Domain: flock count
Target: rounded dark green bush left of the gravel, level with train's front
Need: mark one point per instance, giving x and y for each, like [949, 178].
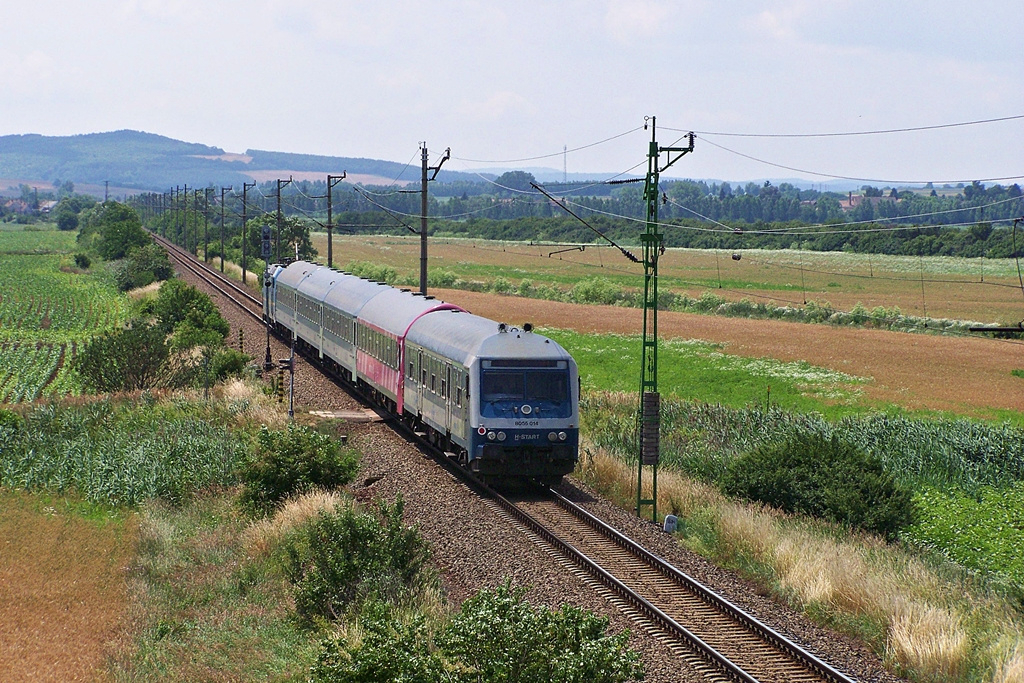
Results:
[293, 461]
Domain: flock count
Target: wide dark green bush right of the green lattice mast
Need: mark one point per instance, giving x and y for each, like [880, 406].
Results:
[824, 478]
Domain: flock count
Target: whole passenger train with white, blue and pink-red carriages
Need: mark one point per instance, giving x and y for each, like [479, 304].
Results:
[501, 400]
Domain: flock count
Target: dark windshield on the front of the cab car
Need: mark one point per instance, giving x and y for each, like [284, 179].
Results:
[505, 392]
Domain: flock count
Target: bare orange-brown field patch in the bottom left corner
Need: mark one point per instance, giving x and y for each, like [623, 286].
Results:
[62, 590]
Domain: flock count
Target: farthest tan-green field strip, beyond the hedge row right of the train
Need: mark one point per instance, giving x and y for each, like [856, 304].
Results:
[977, 290]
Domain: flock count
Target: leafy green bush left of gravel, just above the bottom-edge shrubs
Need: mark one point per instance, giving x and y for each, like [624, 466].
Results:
[345, 557]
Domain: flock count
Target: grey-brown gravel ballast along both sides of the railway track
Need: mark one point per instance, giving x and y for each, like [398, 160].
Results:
[475, 546]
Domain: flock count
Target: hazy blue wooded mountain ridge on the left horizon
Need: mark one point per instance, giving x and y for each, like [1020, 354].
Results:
[151, 162]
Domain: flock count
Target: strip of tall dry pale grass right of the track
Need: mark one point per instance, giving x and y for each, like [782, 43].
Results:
[937, 625]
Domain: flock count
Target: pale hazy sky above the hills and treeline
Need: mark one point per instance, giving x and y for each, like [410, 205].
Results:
[568, 84]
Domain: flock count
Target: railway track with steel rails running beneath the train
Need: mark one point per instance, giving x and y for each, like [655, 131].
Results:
[714, 636]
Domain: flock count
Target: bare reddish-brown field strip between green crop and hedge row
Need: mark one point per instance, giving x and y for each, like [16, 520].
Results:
[924, 372]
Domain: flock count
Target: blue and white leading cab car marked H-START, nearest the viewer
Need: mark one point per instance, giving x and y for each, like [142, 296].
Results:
[510, 397]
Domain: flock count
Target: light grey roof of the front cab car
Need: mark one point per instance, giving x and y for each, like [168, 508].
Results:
[463, 337]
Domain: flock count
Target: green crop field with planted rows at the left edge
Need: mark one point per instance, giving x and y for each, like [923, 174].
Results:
[48, 310]
